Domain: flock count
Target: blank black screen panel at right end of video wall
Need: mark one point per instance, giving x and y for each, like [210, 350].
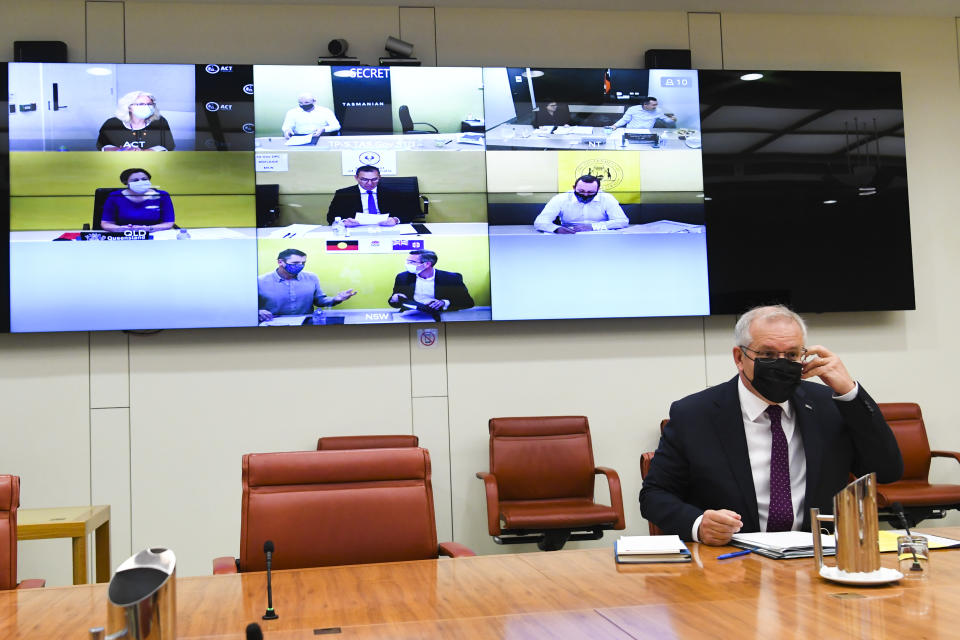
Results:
[806, 191]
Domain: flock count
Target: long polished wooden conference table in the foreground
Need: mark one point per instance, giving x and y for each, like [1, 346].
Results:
[564, 594]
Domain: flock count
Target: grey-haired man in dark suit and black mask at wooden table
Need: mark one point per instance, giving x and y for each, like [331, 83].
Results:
[755, 453]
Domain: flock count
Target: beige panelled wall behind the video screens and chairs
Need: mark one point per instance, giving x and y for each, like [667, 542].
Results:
[155, 425]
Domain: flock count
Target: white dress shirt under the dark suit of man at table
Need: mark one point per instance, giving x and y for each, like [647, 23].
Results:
[756, 425]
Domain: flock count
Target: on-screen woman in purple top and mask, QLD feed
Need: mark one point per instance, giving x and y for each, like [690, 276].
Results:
[139, 206]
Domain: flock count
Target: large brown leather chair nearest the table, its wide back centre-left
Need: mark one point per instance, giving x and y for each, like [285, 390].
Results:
[324, 508]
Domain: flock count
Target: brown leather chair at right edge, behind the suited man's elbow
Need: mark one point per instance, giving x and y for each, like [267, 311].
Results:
[920, 499]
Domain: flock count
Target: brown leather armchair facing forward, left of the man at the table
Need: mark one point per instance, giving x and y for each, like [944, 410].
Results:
[540, 484]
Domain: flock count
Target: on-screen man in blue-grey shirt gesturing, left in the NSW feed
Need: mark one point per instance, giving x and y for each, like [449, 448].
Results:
[288, 290]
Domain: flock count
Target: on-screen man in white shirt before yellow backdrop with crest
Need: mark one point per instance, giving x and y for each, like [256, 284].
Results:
[585, 208]
